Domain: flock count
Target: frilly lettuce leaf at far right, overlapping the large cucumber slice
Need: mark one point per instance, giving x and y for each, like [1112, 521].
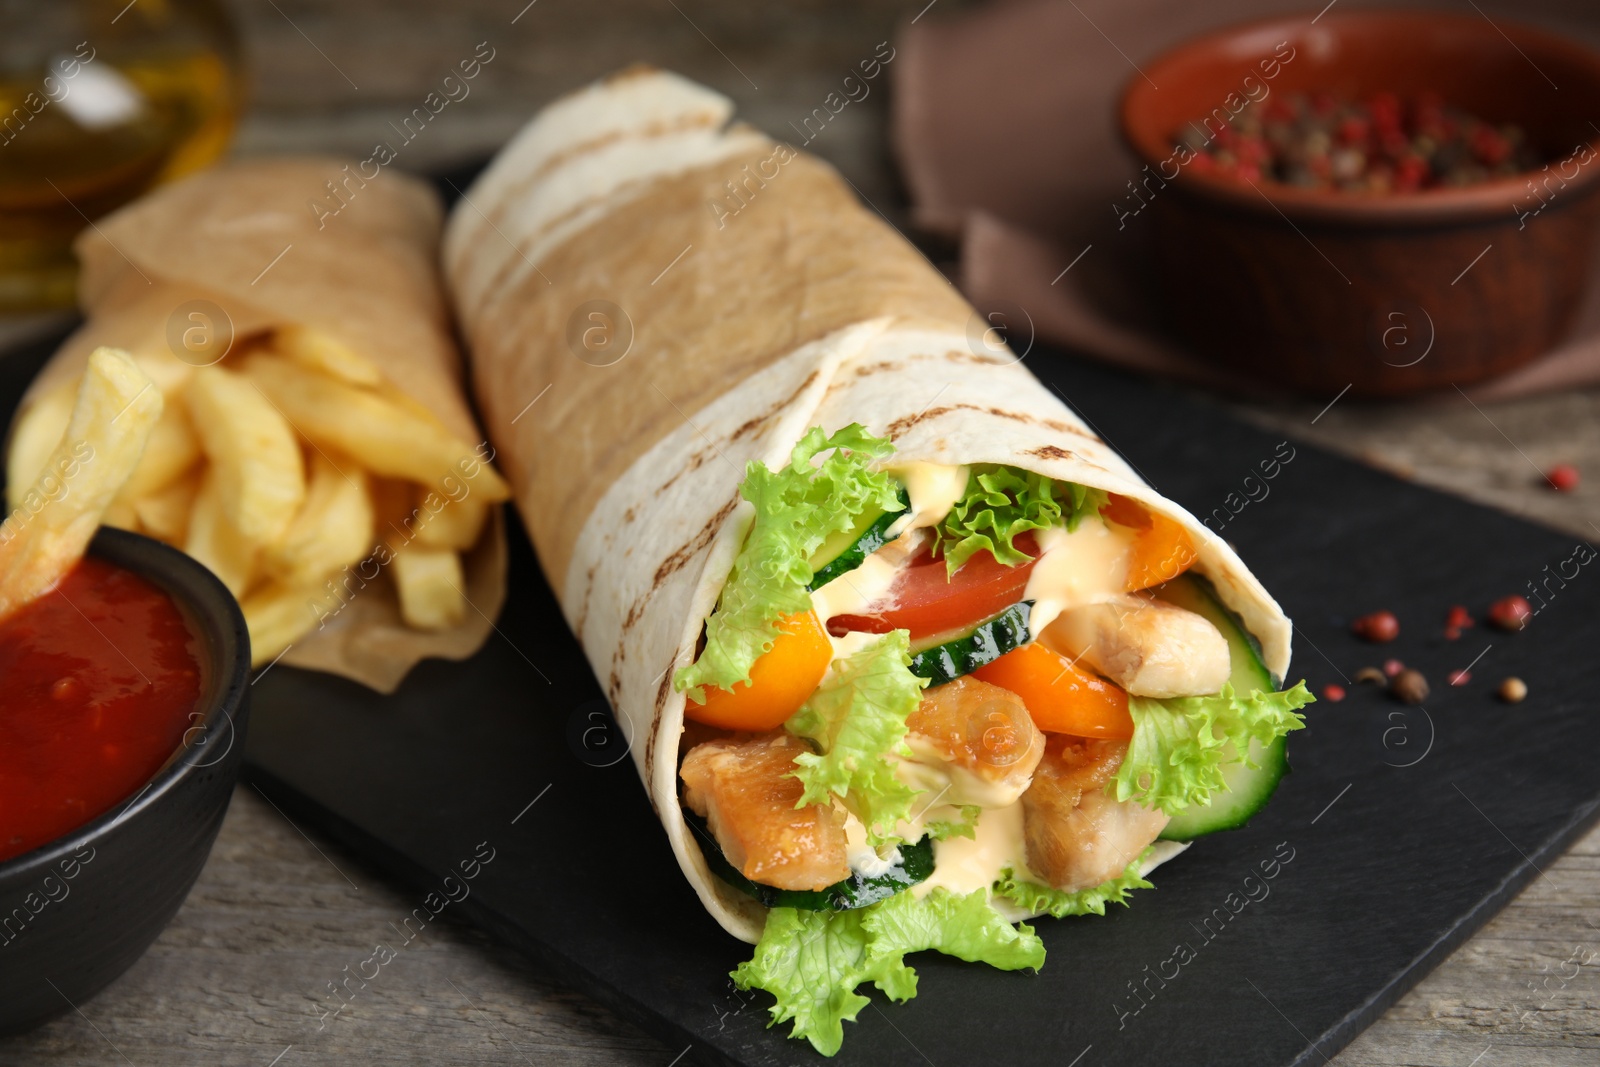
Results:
[1182, 745]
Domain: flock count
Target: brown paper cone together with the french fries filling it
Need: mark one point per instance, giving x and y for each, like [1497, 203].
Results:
[316, 449]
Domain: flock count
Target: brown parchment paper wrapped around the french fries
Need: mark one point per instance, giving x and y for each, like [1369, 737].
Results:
[247, 239]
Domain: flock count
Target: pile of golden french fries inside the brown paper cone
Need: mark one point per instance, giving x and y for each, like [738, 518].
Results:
[298, 476]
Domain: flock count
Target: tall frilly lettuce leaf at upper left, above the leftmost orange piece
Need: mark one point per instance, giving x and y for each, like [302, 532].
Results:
[796, 510]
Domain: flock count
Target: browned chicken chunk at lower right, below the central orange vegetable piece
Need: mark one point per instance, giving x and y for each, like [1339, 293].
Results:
[1076, 834]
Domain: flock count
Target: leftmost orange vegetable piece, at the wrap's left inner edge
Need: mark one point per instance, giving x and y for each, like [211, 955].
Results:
[782, 681]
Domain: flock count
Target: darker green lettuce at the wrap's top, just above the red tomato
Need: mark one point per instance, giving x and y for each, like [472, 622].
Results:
[1002, 503]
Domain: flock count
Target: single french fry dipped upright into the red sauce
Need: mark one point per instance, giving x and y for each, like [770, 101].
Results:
[54, 522]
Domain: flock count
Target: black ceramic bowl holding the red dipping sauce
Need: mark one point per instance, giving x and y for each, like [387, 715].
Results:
[78, 913]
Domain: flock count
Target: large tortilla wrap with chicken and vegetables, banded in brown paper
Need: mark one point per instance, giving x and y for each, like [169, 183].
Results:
[906, 650]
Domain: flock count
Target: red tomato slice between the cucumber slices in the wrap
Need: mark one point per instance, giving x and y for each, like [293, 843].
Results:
[927, 601]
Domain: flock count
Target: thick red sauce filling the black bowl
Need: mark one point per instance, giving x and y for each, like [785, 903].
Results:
[98, 682]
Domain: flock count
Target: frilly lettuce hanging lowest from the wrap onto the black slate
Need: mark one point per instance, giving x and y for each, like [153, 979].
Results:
[812, 962]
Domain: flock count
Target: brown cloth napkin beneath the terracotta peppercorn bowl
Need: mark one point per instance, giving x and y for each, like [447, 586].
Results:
[1007, 134]
